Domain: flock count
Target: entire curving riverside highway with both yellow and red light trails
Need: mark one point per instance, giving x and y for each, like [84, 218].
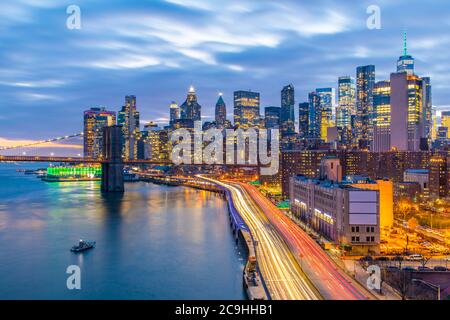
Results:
[292, 264]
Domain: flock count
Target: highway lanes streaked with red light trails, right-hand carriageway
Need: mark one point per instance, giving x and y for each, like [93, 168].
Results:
[326, 276]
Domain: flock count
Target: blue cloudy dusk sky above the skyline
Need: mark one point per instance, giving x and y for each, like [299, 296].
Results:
[155, 49]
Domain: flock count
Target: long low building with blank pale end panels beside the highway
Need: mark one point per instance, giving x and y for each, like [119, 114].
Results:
[346, 214]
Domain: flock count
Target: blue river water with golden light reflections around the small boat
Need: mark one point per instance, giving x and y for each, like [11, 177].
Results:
[153, 242]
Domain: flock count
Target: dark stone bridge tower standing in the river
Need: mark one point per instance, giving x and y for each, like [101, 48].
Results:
[112, 168]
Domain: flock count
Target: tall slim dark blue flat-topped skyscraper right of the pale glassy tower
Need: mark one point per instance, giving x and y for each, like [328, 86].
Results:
[365, 80]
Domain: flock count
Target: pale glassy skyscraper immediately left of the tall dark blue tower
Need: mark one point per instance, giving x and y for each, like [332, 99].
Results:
[346, 102]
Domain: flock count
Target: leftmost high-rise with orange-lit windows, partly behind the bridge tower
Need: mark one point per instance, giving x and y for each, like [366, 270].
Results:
[94, 121]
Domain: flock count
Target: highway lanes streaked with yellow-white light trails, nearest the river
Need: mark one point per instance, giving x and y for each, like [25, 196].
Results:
[279, 268]
